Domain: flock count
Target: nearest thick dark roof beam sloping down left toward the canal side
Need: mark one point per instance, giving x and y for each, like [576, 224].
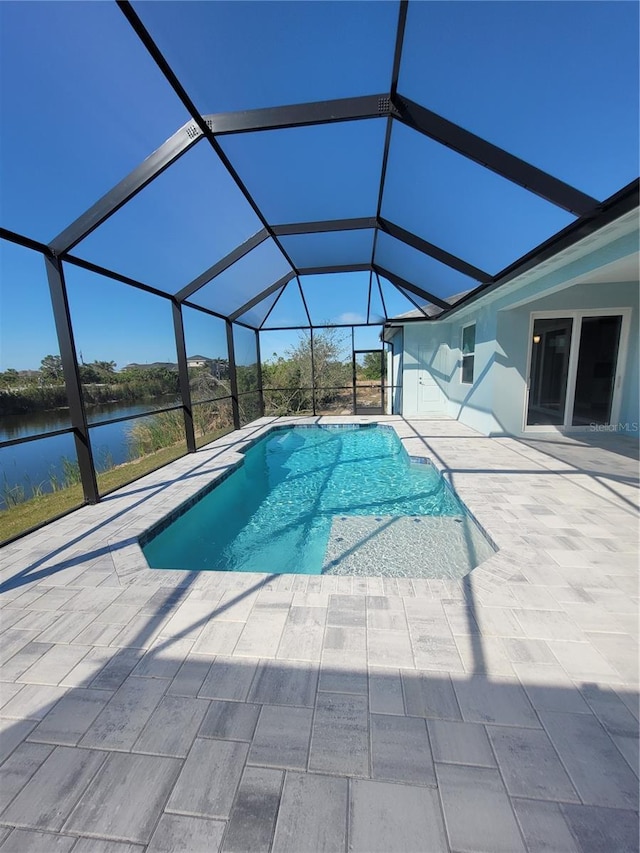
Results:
[177, 145]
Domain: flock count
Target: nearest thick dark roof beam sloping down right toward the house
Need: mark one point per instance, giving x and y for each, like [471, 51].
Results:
[490, 156]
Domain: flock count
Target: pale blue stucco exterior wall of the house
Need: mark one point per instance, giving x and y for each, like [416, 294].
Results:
[494, 403]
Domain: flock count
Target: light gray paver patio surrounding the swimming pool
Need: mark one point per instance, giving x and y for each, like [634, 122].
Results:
[161, 711]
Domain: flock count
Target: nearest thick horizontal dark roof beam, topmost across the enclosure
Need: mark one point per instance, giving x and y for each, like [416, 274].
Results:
[298, 115]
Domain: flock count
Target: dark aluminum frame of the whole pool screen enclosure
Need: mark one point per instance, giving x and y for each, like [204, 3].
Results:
[391, 107]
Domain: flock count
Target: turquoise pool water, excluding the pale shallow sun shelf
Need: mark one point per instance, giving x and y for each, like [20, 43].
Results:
[275, 512]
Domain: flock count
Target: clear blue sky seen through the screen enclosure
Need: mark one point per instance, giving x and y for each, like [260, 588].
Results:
[83, 104]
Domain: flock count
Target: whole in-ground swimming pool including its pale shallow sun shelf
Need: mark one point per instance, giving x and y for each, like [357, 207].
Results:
[322, 499]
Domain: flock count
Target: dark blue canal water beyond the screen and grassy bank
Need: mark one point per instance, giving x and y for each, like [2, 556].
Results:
[32, 466]
